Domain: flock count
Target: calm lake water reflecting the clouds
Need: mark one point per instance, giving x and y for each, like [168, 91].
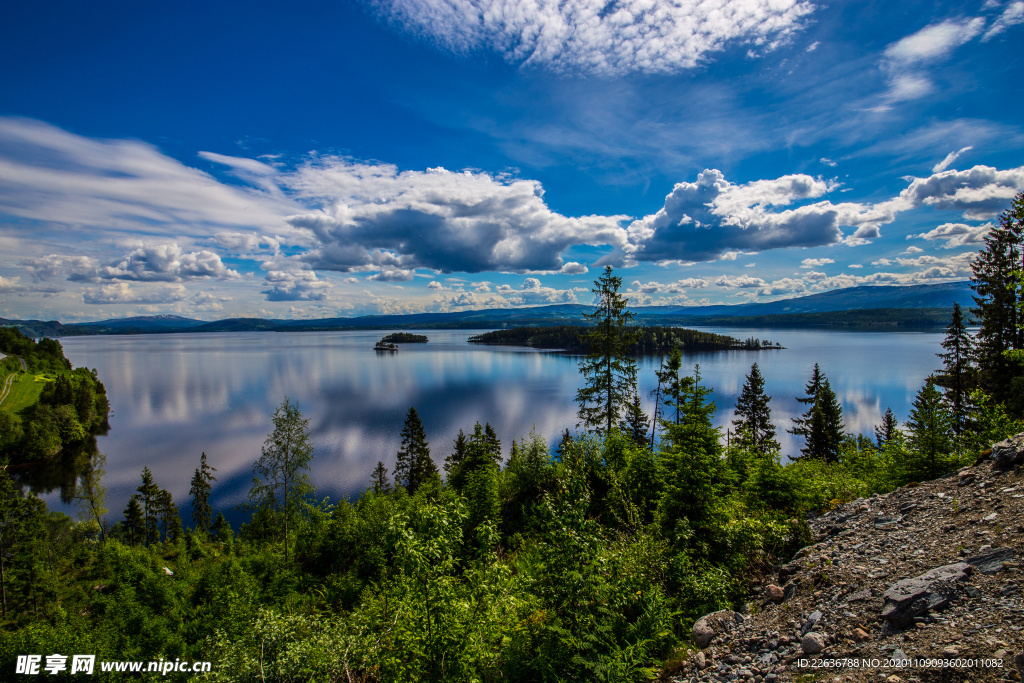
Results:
[175, 397]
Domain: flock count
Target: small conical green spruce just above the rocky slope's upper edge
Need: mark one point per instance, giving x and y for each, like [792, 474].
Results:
[929, 434]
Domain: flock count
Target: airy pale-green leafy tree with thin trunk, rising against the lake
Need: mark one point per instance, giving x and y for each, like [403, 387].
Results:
[281, 477]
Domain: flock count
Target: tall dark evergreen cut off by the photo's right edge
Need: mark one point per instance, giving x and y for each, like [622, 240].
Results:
[998, 303]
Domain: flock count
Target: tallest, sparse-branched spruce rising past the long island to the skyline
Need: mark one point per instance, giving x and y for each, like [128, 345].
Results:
[610, 374]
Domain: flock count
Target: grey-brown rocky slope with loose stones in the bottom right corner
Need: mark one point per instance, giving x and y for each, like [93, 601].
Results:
[923, 584]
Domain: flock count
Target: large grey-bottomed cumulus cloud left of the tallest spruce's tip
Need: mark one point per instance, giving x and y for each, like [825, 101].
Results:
[374, 217]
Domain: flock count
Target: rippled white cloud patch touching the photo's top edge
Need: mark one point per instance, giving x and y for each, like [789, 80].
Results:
[599, 37]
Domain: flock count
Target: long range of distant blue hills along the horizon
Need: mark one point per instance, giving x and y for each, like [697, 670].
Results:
[881, 305]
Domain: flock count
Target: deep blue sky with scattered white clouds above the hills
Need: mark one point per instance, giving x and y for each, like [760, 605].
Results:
[319, 159]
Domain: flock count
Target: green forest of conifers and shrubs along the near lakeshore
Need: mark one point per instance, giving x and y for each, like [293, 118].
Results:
[587, 562]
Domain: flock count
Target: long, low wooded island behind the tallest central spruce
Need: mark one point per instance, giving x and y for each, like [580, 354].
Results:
[651, 340]
